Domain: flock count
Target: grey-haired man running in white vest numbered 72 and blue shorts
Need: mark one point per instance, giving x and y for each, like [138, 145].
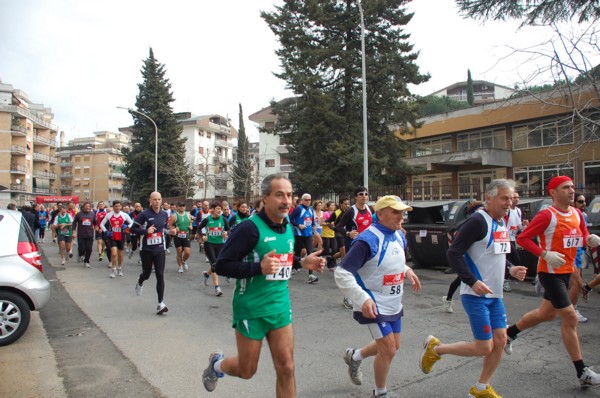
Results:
[478, 254]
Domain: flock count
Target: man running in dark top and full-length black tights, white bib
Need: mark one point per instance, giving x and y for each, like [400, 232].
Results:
[152, 224]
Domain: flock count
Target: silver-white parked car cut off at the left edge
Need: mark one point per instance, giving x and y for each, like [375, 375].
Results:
[23, 287]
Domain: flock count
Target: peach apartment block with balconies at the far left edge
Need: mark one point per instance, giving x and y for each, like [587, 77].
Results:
[28, 146]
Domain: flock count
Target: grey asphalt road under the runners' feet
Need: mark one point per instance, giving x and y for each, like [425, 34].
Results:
[112, 344]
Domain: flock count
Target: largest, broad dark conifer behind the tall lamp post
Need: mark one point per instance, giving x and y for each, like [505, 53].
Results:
[320, 55]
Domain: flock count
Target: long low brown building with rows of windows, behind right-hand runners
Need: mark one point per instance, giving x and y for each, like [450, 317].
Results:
[528, 138]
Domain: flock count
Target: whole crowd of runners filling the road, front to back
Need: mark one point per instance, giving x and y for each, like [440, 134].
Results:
[263, 245]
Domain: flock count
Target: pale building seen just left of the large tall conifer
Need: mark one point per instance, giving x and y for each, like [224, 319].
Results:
[273, 153]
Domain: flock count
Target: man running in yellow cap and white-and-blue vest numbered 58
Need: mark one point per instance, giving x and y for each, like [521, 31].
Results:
[373, 274]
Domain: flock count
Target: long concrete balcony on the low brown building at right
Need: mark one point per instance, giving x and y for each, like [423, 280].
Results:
[482, 157]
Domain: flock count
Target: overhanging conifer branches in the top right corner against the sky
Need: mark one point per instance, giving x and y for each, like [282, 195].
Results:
[532, 12]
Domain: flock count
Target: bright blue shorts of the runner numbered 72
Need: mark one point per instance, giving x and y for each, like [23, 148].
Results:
[485, 315]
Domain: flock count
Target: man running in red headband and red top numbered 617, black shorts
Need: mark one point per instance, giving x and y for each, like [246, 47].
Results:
[560, 229]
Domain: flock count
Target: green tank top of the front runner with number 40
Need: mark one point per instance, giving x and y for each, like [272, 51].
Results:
[265, 295]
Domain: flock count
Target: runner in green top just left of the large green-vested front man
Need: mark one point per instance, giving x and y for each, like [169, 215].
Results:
[216, 228]
